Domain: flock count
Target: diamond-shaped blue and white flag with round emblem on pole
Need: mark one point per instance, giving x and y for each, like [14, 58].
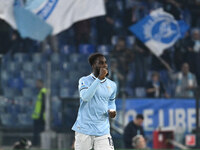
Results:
[159, 30]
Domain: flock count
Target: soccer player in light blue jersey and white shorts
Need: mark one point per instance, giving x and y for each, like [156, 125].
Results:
[97, 104]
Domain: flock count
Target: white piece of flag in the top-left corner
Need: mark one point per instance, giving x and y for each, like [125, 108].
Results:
[6, 12]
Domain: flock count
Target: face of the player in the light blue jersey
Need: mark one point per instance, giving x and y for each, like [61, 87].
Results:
[100, 63]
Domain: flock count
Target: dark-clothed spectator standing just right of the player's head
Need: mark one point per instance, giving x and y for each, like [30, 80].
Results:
[124, 57]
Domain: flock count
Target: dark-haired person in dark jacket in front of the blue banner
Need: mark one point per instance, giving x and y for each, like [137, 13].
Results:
[132, 129]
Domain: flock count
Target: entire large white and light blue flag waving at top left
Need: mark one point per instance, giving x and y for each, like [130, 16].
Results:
[59, 14]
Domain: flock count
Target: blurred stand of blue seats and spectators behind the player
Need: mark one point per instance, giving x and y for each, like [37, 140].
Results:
[132, 66]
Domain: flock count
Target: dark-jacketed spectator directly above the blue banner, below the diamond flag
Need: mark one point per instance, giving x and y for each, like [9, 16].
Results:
[155, 88]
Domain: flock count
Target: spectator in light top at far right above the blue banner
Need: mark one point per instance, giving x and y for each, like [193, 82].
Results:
[185, 82]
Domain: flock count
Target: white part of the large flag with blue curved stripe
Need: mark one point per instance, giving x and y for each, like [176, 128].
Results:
[61, 14]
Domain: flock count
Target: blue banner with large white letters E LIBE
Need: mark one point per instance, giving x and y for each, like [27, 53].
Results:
[177, 114]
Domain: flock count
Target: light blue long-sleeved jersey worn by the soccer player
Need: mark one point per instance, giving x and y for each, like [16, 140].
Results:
[96, 98]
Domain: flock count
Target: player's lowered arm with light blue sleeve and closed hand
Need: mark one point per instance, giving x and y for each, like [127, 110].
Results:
[111, 103]
